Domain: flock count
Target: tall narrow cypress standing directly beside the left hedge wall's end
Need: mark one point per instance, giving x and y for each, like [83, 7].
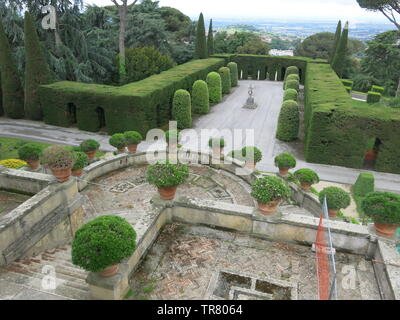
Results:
[36, 70]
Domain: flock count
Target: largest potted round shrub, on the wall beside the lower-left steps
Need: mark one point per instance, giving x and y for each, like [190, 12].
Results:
[102, 244]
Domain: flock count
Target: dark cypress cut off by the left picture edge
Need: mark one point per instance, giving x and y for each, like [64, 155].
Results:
[12, 92]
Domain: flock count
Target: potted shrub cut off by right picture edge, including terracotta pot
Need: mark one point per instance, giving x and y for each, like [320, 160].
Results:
[384, 209]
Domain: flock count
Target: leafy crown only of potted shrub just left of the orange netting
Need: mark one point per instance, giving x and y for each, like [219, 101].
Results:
[270, 188]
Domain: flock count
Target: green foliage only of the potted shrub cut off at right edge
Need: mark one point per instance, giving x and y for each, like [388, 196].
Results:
[382, 207]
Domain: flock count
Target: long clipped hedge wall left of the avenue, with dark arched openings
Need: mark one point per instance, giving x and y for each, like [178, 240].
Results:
[138, 106]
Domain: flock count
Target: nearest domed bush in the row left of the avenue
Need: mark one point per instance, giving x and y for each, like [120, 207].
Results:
[182, 109]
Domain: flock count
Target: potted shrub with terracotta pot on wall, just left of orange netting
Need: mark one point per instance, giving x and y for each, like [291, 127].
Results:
[269, 192]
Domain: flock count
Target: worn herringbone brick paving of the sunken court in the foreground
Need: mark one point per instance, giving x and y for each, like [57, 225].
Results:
[185, 259]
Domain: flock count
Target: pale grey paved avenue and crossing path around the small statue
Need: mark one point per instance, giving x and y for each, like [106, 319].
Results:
[227, 115]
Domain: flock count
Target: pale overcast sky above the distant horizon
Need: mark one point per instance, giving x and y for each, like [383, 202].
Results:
[315, 9]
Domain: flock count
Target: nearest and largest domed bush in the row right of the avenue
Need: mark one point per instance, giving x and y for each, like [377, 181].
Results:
[288, 122]
